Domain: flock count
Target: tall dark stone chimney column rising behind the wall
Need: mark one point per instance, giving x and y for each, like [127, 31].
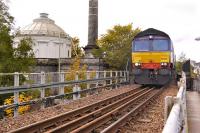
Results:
[92, 27]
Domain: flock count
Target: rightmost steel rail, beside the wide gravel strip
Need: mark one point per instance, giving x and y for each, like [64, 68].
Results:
[122, 121]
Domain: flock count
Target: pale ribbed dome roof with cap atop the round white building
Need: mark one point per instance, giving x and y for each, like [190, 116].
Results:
[43, 26]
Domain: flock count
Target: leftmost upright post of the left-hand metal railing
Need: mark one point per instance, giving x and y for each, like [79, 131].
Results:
[16, 93]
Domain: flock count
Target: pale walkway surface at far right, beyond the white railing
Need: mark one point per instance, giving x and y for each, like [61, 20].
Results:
[193, 111]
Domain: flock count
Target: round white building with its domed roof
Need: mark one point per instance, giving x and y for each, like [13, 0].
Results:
[50, 41]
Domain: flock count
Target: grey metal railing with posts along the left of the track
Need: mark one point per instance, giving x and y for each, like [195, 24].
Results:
[119, 77]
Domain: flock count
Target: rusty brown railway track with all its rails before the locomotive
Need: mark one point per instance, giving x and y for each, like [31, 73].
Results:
[102, 116]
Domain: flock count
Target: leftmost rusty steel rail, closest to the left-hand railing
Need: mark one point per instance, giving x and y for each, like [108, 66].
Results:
[62, 118]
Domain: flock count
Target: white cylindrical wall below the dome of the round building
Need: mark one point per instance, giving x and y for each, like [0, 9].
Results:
[48, 47]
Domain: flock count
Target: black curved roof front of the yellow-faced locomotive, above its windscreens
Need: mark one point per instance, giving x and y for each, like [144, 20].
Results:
[152, 31]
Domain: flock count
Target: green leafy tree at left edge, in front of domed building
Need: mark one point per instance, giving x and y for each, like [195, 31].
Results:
[12, 59]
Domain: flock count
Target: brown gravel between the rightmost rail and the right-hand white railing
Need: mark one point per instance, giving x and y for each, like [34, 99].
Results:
[151, 120]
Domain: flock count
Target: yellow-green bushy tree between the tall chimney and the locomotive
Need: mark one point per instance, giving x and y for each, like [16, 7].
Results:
[116, 43]
